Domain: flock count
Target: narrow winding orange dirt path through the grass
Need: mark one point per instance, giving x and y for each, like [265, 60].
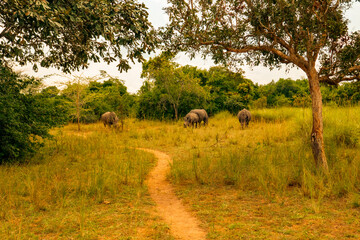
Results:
[183, 225]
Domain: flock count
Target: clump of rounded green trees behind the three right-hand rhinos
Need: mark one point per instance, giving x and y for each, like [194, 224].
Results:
[187, 87]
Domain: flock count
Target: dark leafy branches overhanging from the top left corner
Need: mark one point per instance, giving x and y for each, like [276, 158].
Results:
[67, 34]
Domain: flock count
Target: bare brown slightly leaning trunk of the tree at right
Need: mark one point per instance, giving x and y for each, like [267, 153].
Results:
[317, 140]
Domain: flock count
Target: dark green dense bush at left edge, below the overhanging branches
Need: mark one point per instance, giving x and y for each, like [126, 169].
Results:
[25, 116]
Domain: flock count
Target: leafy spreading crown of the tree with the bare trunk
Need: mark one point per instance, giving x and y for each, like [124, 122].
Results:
[264, 32]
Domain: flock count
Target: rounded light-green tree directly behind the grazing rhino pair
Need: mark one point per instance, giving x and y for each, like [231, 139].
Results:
[172, 86]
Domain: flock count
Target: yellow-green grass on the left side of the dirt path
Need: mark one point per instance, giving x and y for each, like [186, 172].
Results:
[54, 195]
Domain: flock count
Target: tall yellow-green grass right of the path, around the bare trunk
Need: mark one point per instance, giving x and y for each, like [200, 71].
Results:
[273, 156]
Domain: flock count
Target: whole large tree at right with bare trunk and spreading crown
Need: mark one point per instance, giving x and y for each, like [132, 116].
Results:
[309, 34]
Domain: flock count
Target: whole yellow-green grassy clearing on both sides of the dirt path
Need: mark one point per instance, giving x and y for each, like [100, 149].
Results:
[257, 183]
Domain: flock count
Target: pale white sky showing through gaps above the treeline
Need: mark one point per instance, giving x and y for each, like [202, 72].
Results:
[157, 16]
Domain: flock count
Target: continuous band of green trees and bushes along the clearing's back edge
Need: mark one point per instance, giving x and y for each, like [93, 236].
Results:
[30, 109]
